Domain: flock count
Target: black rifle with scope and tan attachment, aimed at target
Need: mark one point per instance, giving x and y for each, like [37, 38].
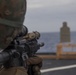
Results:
[21, 48]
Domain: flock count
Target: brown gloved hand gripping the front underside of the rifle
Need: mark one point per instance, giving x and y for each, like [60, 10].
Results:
[36, 63]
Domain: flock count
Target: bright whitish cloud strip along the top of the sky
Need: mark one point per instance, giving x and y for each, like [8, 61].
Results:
[46, 3]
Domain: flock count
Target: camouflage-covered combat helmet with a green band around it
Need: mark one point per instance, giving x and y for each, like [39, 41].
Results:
[12, 14]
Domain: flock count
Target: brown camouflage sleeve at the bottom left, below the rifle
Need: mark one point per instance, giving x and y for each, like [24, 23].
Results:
[14, 71]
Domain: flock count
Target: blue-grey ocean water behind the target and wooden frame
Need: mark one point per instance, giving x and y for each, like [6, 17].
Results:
[51, 40]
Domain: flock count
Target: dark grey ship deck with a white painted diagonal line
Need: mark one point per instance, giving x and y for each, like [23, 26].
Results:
[58, 67]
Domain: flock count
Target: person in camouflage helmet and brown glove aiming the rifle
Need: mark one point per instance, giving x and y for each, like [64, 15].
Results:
[12, 15]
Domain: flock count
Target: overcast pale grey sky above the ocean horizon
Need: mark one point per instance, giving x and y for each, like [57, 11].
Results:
[48, 15]
